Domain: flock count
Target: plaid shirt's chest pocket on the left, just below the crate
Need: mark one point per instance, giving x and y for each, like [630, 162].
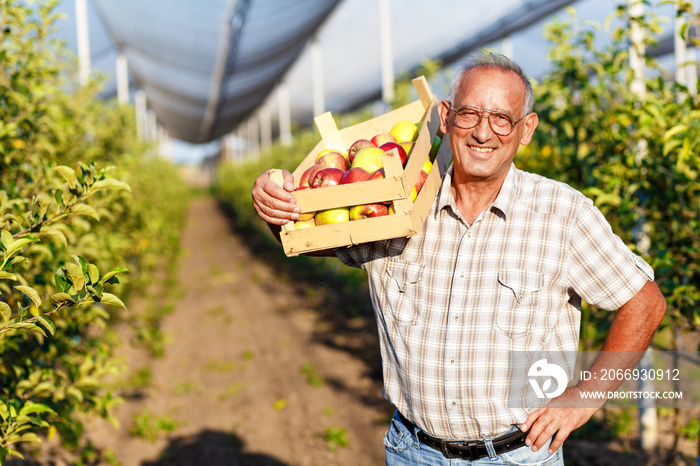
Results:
[404, 290]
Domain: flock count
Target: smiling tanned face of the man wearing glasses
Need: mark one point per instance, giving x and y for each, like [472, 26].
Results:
[479, 153]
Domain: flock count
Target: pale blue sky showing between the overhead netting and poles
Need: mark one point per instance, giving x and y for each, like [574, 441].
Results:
[349, 38]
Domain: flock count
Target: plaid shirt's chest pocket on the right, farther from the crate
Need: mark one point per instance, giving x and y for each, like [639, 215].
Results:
[518, 300]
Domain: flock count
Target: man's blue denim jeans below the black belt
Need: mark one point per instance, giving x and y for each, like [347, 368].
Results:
[402, 448]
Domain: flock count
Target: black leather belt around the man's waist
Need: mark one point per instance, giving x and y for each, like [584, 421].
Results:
[469, 450]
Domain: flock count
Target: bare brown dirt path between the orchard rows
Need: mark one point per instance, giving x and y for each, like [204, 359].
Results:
[243, 376]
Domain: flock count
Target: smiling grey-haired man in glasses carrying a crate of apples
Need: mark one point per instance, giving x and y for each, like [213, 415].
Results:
[501, 265]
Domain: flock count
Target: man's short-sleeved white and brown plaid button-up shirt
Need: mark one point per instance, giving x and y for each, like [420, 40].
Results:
[454, 300]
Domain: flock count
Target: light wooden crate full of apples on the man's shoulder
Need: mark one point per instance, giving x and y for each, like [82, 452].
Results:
[395, 187]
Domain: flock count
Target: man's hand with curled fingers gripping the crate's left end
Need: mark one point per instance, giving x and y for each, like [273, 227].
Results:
[274, 203]
